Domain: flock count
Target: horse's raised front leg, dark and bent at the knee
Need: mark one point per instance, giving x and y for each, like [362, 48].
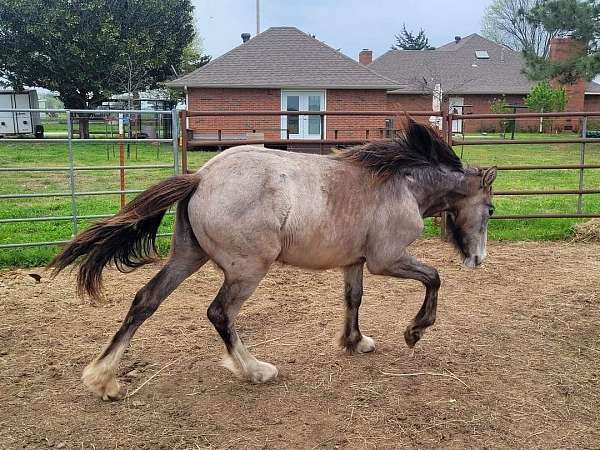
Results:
[408, 267]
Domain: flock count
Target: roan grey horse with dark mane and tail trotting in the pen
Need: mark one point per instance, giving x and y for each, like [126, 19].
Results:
[250, 207]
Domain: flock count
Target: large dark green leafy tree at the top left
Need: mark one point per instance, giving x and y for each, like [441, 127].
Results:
[87, 50]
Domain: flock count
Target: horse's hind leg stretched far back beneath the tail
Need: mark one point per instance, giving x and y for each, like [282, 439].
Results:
[99, 375]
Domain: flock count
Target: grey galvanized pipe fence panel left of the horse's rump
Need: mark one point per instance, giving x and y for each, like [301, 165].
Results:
[71, 169]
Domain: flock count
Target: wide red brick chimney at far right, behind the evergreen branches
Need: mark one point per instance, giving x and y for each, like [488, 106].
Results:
[562, 49]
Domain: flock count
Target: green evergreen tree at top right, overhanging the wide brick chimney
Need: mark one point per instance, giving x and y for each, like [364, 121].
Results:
[579, 19]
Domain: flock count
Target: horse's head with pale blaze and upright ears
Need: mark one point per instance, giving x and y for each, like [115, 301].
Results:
[468, 216]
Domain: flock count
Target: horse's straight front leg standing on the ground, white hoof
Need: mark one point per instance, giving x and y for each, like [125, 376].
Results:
[351, 338]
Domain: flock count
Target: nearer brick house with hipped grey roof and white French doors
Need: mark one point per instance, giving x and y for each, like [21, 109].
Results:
[284, 69]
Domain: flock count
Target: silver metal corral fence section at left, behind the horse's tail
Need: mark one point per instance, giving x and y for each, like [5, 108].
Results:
[73, 170]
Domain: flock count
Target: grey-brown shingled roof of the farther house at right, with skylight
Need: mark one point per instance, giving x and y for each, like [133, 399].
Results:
[457, 68]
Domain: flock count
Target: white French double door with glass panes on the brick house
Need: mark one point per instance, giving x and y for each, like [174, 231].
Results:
[302, 127]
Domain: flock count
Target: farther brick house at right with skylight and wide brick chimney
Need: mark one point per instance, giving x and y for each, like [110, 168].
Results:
[468, 74]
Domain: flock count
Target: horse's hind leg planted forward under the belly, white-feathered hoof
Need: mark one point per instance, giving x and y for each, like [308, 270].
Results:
[223, 311]
